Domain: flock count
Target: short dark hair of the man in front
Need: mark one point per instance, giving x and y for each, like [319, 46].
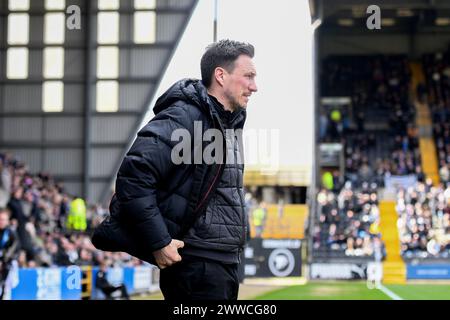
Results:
[222, 54]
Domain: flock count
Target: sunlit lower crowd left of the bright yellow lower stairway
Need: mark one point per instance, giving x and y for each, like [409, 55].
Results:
[349, 222]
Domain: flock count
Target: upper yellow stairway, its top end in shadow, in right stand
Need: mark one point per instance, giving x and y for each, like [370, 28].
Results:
[424, 123]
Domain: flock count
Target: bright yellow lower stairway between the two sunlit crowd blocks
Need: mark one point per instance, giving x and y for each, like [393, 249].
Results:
[394, 269]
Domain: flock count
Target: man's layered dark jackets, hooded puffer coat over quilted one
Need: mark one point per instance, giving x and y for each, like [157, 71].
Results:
[159, 200]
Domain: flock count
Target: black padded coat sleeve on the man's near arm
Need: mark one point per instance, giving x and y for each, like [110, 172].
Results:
[145, 166]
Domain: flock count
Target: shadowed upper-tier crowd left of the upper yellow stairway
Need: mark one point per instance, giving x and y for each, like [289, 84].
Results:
[374, 83]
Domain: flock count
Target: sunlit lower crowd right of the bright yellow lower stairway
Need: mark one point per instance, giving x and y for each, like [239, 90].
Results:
[424, 220]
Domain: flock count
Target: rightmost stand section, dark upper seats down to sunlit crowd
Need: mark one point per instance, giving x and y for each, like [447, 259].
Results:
[423, 210]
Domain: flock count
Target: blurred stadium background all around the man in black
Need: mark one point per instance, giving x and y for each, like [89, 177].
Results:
[347, 184]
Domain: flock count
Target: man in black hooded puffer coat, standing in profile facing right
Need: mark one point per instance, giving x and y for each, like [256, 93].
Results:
[191, 215]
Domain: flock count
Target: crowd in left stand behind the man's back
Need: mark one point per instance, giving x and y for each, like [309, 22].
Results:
[39, 211]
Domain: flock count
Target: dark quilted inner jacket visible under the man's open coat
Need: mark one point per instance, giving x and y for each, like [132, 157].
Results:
[220, 233]
